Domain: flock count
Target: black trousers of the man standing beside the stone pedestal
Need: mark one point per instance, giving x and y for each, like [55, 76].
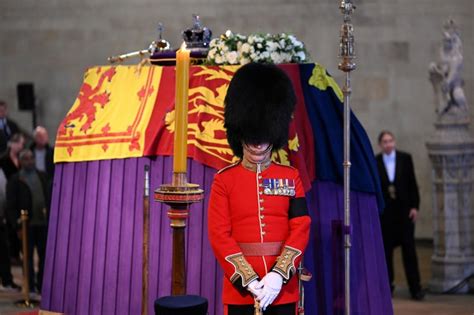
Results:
[399, 229]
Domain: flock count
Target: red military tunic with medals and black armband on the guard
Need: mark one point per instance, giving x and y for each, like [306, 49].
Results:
[260, 210]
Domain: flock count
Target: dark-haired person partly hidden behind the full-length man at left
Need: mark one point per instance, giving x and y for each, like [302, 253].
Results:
[10, 165]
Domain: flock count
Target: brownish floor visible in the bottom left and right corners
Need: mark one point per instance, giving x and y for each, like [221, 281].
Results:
[402, 304]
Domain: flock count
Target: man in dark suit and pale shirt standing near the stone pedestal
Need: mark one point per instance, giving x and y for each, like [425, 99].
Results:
[402, 200]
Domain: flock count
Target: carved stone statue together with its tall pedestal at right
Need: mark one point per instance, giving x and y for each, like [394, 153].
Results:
[451, 151]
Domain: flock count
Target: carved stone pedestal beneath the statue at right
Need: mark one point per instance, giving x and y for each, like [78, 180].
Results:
[451, 151]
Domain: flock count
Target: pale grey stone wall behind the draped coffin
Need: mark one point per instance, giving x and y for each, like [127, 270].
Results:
[51, 42]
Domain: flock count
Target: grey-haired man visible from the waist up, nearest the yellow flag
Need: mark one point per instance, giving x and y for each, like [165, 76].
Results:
[43, 152]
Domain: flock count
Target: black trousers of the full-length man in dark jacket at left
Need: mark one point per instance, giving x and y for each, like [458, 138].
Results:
[37, 235]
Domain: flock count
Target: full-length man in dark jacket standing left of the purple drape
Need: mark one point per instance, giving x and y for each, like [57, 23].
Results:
[29, 190]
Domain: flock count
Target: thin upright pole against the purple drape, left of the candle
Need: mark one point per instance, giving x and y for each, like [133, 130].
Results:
[146, 239]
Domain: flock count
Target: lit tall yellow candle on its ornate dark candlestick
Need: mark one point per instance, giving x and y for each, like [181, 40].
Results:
[180, 194]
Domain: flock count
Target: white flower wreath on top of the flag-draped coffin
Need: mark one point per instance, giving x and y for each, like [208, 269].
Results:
[235, 49]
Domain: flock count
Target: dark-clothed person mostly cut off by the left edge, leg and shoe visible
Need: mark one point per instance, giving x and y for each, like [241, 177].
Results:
[6, 276]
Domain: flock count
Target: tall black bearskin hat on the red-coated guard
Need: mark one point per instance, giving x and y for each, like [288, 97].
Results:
[258, 107]
